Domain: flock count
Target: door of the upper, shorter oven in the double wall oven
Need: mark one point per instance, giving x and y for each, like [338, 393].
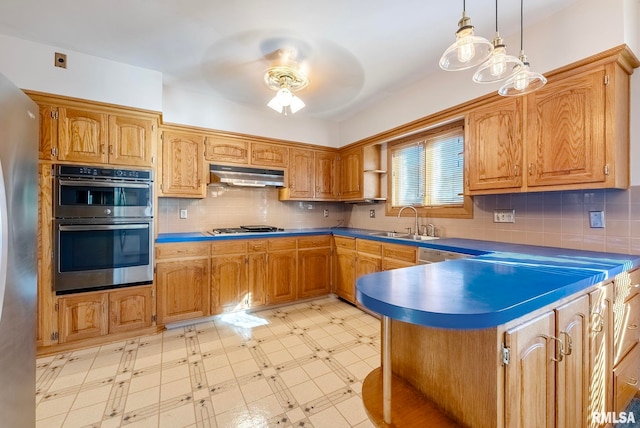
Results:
[102, 198]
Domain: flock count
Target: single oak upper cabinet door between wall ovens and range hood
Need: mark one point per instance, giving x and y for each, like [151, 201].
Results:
[182, 165]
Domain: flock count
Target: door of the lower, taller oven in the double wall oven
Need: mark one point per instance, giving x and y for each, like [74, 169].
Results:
[93, 254]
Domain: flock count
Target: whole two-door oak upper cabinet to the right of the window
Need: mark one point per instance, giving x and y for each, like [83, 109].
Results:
[576, 132]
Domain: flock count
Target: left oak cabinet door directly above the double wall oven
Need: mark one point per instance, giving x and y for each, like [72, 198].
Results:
[82, 136]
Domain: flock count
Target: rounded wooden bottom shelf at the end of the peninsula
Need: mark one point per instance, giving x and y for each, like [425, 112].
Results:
[409, 407]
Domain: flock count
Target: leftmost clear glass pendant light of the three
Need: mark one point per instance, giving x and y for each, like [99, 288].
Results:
[468, 50]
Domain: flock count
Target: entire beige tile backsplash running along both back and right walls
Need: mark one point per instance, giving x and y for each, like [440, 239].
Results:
[555, 219]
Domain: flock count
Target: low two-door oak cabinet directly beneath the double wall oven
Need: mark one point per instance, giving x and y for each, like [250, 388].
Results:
[91, 315]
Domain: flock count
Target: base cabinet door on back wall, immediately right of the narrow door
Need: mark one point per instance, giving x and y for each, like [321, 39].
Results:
[281, 274]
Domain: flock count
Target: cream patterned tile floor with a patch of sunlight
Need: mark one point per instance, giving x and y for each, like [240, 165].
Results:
[294, 366]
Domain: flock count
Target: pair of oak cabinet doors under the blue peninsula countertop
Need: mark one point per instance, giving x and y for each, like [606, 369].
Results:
[546, 380]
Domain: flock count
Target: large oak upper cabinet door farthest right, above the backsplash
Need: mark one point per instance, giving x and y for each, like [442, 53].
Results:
[566, 131]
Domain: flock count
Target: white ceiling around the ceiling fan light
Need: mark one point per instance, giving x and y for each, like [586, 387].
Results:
[357, 51]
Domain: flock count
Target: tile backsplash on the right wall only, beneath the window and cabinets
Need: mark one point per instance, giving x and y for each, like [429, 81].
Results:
[553, 219]
